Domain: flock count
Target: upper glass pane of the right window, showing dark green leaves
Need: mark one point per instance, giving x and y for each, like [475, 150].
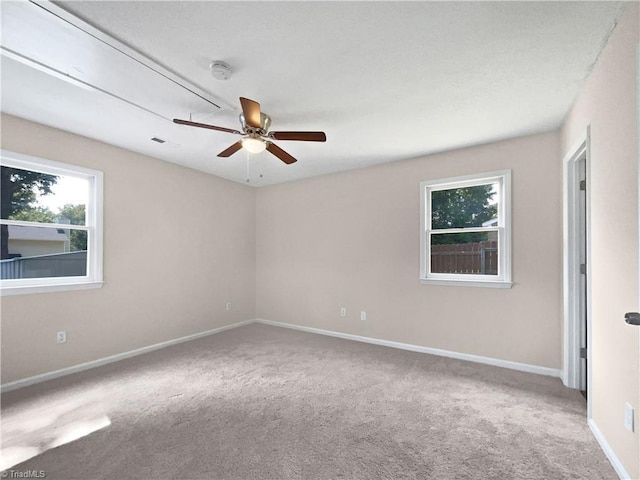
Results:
[475, 206]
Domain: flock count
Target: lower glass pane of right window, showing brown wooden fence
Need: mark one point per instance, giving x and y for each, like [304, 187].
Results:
[465, 253]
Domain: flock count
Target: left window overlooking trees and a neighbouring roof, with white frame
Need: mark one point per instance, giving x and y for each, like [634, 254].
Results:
[50, 225]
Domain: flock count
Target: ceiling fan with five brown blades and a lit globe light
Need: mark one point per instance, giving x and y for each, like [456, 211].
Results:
[256, 134]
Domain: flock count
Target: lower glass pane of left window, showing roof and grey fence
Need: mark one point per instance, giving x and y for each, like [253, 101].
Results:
[41, 252]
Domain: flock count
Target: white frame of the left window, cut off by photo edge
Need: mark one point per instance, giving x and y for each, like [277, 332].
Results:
[93, 225]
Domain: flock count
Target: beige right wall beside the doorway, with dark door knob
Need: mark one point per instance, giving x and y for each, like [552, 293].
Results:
[608, 103]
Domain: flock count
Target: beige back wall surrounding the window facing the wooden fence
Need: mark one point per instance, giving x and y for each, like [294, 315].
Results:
[352, 240]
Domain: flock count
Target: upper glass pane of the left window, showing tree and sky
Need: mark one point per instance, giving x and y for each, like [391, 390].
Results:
[40, 197]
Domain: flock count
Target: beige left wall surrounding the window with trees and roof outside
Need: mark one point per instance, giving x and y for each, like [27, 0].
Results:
[178, 245]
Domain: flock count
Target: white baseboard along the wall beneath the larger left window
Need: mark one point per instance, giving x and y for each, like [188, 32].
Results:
[25, 382]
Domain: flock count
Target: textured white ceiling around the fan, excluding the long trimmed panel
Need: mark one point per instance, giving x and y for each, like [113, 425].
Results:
[386, 81]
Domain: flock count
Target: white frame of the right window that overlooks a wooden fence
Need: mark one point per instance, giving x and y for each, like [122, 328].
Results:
[503, 279]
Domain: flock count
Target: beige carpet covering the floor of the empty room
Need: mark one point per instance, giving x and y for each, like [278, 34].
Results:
[261, 402]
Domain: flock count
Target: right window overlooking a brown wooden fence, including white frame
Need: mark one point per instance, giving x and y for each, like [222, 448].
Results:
[465, 230]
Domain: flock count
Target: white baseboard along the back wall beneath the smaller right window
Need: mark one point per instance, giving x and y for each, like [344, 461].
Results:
[523, 367]
